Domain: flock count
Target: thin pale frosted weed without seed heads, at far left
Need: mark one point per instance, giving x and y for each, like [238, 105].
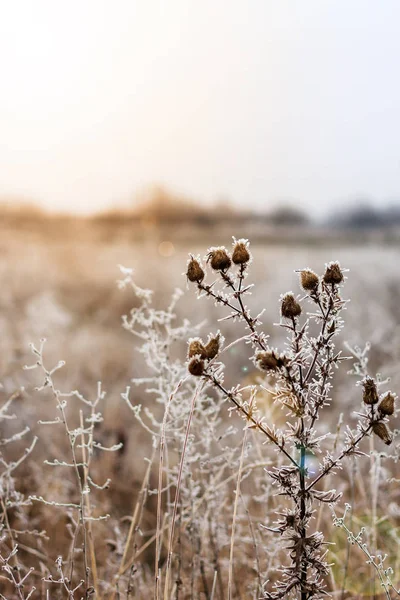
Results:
[77, 574]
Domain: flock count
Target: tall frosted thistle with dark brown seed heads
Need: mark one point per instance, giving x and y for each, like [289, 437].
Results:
[300, 379]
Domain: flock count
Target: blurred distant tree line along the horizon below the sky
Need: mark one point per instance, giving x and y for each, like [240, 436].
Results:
[158, 207]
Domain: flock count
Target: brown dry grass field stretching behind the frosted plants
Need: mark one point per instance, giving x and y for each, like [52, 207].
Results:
[64, 289]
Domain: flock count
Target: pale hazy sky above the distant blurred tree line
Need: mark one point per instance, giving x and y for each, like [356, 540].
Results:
[255, 100]
